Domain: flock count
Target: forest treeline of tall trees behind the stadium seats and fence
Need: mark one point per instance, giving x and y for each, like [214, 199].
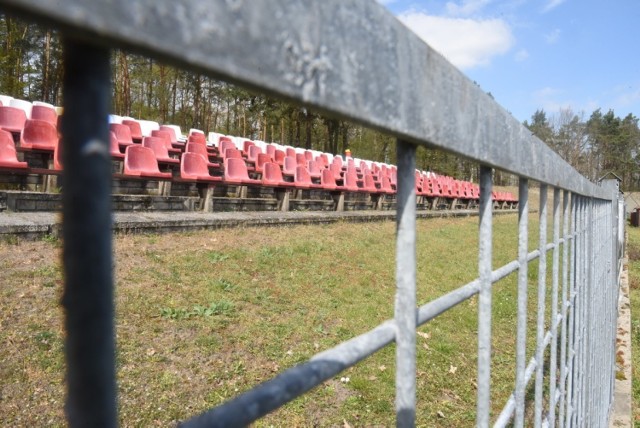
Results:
[31, 68]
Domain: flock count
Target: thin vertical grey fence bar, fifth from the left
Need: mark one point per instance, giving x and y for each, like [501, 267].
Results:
[540, 332]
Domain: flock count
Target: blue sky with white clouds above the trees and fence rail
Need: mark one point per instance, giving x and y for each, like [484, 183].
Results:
[538, 54]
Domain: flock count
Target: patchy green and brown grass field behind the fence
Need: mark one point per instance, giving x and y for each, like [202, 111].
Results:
[204, 316]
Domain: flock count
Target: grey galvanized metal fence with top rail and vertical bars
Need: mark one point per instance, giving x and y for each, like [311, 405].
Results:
[350, 59]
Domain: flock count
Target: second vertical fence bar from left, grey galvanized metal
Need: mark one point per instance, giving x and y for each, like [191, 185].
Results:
[405, 307]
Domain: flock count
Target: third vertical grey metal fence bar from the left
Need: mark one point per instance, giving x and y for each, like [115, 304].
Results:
[484, 300]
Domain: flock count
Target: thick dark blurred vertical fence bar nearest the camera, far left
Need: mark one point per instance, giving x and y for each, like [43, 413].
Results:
[88, 292]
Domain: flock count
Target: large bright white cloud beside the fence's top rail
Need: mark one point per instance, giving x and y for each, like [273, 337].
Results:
[467, 43]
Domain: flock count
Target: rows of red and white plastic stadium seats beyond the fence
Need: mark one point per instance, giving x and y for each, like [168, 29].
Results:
[143, 149]
